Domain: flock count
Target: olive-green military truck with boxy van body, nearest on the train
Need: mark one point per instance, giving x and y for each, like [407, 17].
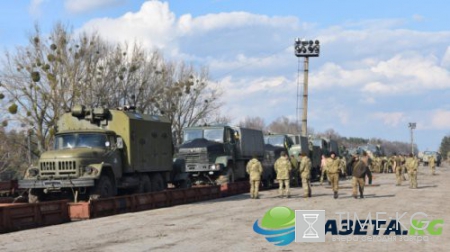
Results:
[99, 151]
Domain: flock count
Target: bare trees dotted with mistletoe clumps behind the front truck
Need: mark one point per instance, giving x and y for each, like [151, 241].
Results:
[51, 74]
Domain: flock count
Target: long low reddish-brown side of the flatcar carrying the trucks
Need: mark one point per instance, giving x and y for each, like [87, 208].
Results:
[20, 216]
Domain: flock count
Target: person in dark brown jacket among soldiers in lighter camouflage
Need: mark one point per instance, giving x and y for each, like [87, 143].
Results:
[360, 171]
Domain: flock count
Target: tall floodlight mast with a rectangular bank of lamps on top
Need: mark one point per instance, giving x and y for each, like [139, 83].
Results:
[305, 49]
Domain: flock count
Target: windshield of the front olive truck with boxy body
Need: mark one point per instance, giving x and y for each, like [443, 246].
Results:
[80, 140]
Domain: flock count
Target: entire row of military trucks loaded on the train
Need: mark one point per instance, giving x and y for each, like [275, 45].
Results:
[99, 152]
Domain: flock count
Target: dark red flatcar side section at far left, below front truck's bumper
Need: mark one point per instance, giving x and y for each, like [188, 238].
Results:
[14, 217]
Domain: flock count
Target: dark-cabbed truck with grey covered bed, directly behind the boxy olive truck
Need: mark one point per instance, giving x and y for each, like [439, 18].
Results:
[218, 154]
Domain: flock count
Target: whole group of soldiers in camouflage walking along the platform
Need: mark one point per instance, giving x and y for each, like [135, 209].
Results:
[360, 167]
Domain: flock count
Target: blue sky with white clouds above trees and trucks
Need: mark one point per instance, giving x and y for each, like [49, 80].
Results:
[382, 63]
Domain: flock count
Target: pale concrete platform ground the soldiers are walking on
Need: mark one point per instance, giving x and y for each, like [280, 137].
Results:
[226, 224]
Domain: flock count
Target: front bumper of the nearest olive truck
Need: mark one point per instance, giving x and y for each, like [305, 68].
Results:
[55, 183]
